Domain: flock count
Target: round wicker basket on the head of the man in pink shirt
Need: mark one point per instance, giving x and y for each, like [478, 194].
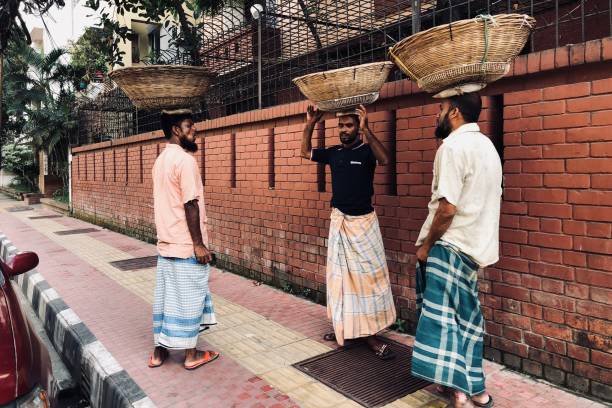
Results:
[163, 86]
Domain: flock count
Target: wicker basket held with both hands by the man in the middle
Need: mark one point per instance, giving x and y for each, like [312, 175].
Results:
[345, 88]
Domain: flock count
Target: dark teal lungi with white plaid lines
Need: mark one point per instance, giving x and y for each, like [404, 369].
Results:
[449, 339]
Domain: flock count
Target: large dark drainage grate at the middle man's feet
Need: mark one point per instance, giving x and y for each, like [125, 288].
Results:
[359, 375]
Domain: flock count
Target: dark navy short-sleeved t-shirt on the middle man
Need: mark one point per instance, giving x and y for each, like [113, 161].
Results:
[352, 173]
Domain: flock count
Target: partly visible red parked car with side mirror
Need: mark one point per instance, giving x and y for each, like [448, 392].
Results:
[26, 375]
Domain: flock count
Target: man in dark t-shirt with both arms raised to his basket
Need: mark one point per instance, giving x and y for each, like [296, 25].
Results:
[359, 299]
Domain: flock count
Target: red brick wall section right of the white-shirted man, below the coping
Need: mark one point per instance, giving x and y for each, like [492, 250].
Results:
[550, 295]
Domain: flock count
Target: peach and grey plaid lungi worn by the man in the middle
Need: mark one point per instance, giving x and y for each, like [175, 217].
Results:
[359, 298]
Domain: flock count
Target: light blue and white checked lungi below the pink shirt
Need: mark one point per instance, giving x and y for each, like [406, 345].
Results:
[183, 304]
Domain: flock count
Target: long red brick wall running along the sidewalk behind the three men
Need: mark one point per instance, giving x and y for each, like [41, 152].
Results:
[547, 302]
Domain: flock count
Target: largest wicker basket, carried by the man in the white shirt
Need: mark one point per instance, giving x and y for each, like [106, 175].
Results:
[463, 56]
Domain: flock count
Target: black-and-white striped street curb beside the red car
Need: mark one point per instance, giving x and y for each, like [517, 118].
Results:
[96, 371]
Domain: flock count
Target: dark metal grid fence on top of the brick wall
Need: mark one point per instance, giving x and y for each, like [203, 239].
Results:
[257, 51]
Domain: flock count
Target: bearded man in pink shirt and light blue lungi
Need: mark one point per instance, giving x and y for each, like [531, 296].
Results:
[183, 306]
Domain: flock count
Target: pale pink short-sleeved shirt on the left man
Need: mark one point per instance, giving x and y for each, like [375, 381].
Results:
[176, 181]
